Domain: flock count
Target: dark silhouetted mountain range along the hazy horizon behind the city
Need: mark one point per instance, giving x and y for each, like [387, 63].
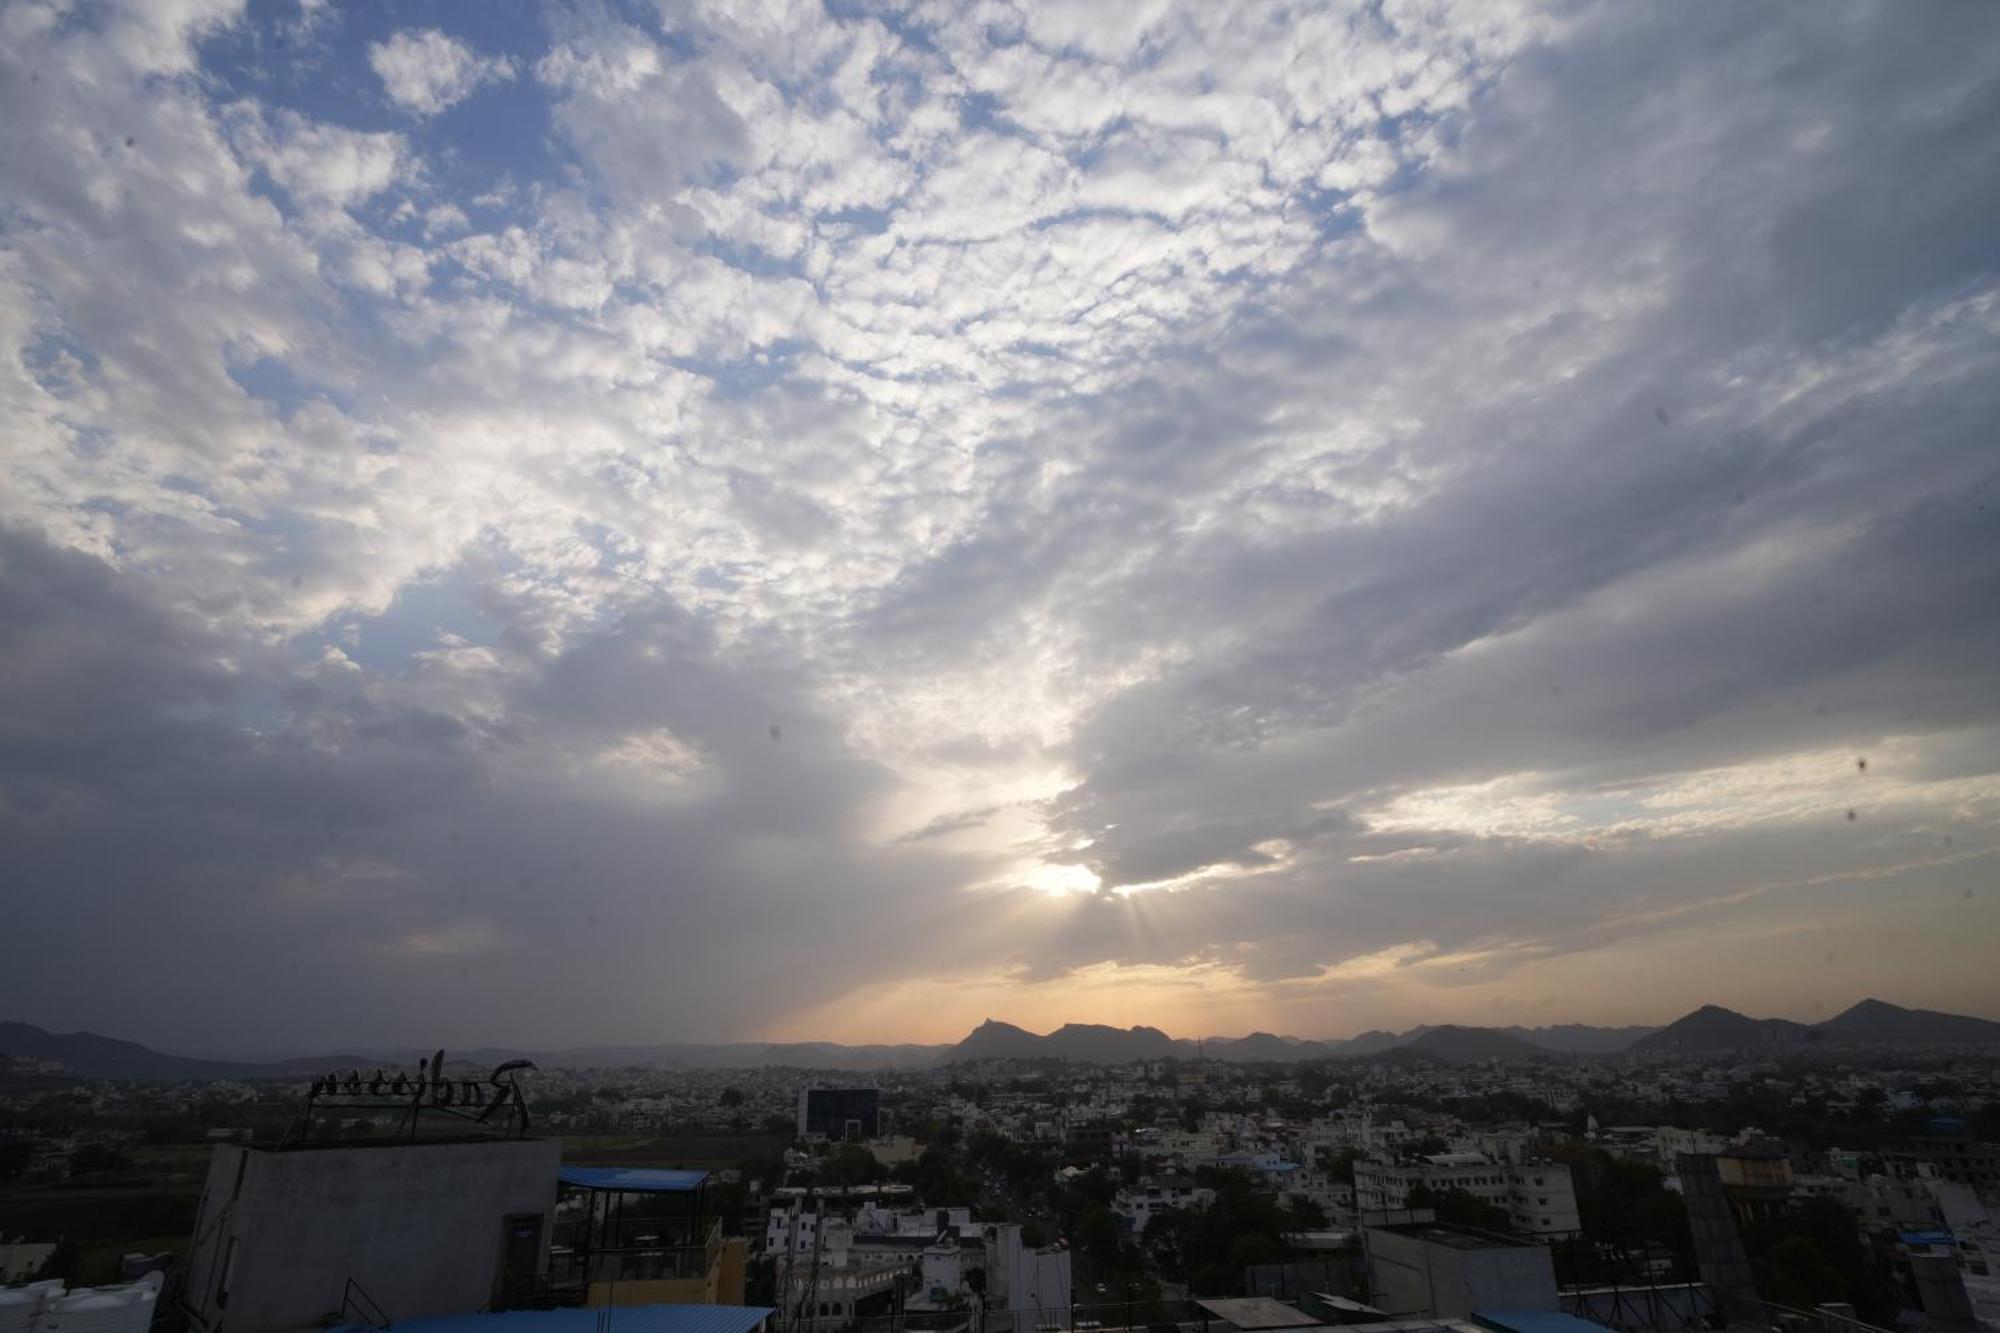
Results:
[1709, 1030]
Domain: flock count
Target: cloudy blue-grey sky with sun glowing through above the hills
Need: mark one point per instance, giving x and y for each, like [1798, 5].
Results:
[551, 525]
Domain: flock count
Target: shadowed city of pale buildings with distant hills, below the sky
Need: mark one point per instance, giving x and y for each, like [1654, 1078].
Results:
[1087, 1178]
